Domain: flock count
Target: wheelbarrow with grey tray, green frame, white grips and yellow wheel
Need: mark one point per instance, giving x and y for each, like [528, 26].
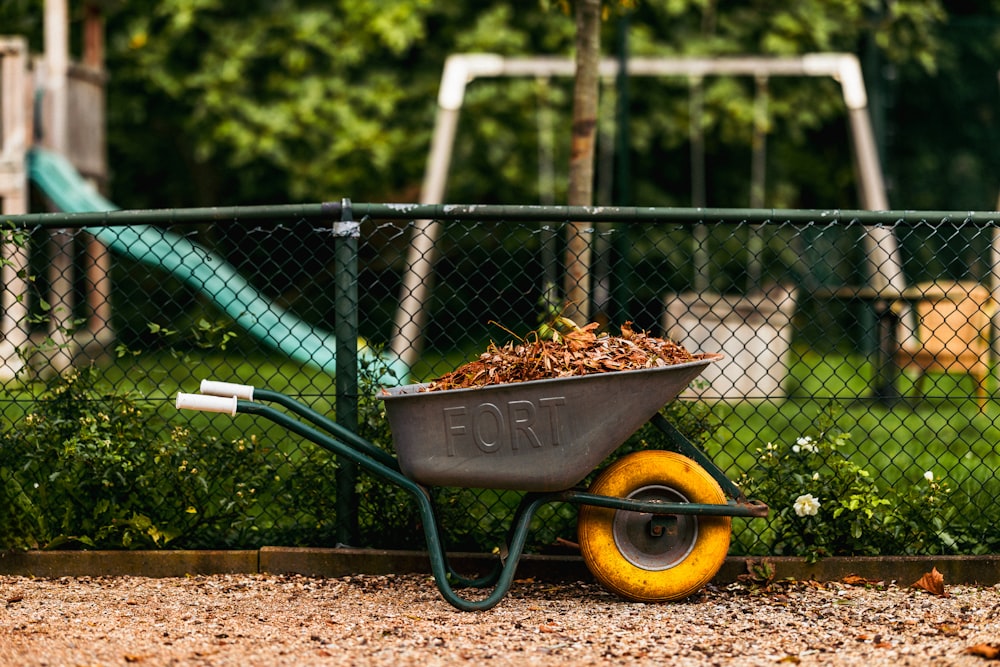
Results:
[654, 526]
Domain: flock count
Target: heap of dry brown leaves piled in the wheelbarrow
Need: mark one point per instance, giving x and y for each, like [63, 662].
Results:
[579, 351]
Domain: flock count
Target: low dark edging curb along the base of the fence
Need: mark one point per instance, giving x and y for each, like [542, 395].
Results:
[981, 570]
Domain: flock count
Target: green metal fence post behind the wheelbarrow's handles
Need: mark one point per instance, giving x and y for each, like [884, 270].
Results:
[346, 233]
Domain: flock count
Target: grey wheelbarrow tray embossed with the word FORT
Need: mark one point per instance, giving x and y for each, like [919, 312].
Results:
[542, 435]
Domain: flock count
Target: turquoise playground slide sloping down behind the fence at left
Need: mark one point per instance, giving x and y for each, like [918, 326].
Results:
[196, 266]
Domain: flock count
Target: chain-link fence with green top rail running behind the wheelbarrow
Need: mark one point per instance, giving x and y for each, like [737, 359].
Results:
[869, 333]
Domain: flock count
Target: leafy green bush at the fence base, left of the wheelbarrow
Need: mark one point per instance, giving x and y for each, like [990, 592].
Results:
[89, 468]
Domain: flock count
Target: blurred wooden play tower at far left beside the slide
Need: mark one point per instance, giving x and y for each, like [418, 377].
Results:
[70, 120]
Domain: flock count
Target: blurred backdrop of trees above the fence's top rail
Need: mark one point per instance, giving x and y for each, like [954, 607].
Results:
[228, 102]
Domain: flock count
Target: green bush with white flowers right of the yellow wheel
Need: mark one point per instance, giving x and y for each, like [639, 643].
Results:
[823, 504]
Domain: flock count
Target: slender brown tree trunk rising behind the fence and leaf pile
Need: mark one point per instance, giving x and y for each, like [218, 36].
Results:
[581, 161]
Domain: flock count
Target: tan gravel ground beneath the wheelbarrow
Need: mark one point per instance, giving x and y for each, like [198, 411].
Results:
[402, 620]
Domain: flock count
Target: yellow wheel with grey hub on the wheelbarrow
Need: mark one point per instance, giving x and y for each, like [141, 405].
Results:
[654, 559]
